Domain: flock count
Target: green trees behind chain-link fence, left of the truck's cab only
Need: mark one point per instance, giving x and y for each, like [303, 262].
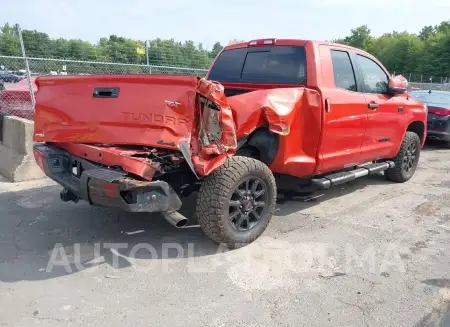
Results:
[116, 49]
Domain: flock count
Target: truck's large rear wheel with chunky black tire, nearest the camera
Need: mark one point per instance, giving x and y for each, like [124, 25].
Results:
[229, 193]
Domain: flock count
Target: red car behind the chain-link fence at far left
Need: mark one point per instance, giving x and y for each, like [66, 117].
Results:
[15, 99]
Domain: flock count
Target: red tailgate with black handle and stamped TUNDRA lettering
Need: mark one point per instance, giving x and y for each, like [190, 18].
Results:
[151, 110]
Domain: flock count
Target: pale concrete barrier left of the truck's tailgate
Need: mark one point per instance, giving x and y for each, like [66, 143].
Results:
[16, 150]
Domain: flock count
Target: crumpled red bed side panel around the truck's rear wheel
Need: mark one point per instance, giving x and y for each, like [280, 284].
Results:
[293, 113]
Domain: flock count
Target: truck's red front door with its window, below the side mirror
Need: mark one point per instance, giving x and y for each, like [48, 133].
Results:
[384, 122]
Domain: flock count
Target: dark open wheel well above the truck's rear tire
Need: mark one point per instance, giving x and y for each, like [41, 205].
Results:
[261, 145]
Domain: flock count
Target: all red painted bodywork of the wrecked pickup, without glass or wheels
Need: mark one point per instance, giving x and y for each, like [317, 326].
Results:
[321, 128]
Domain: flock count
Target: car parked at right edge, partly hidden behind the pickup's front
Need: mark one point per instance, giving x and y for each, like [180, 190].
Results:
[438, 120]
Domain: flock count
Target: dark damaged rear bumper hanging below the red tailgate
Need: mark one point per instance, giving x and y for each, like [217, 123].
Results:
[102, 186]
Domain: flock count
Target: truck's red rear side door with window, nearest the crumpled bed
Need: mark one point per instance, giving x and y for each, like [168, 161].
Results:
[345, 113]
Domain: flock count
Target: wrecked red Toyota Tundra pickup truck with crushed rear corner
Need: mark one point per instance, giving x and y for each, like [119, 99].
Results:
[286, 114]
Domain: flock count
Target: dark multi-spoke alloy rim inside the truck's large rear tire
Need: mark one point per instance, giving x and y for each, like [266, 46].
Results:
[247, 204]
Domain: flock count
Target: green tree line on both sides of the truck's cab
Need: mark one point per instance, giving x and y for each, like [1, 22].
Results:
[427, 52]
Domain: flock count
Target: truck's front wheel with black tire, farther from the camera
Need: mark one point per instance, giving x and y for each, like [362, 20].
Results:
[406, 160]
